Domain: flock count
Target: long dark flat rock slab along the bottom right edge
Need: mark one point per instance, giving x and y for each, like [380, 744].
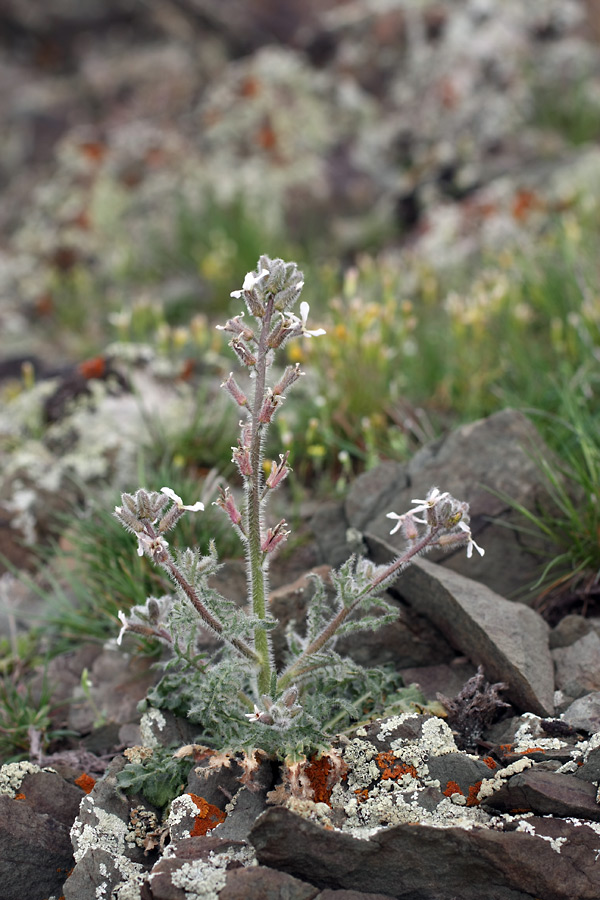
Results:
[549, 858]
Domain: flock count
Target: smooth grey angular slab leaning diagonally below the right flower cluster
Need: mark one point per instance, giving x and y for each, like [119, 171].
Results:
[508, 639]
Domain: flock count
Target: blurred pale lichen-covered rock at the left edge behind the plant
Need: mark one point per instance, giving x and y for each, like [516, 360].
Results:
[43, 473]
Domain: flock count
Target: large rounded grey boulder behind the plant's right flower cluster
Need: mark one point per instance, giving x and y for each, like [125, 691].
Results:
[475, 463]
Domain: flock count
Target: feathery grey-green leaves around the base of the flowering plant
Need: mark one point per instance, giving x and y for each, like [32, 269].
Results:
[212, 694]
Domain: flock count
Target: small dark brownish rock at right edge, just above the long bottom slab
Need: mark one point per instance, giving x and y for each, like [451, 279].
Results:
[547, 794]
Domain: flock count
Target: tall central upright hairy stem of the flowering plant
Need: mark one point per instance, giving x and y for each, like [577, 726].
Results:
[257, 560]
